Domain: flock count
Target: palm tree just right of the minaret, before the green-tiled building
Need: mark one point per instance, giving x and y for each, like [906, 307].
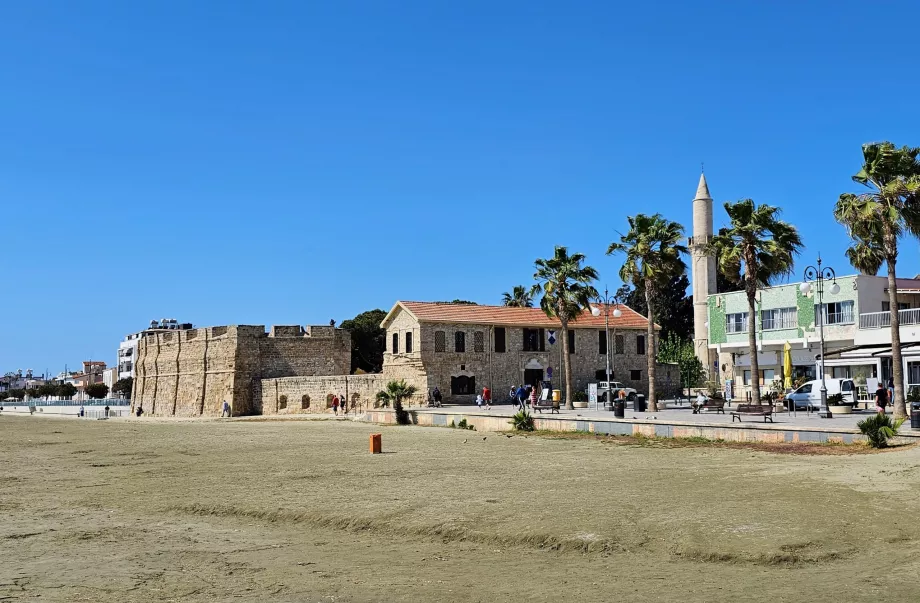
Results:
[754, 251]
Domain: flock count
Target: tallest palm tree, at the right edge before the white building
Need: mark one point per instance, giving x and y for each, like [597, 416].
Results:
[875, 220]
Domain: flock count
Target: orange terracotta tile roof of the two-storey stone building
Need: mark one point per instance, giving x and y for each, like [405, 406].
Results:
[524, 317]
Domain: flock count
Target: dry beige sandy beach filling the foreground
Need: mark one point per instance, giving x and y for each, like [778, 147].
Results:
[299, 511]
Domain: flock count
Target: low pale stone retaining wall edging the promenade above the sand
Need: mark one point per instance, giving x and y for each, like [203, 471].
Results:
[738, 433]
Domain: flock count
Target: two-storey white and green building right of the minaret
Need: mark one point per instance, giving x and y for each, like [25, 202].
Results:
[857, 335]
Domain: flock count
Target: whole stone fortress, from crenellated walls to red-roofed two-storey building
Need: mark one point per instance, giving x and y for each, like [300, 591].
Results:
[459, 349]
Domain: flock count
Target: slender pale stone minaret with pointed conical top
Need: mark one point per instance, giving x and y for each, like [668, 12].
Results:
[703, 271]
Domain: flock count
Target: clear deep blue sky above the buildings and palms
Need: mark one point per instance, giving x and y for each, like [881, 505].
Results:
[290, 162]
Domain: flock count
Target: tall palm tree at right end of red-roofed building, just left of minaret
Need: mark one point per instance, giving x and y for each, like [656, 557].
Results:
[653, 258]
